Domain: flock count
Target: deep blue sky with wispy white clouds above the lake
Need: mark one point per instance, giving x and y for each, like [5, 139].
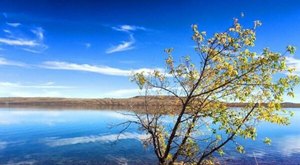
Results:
[88, 48]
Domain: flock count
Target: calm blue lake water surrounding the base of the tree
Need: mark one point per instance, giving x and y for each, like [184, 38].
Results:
[86, 137]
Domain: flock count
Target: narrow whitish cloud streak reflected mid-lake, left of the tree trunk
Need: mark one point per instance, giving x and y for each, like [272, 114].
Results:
[55, 142]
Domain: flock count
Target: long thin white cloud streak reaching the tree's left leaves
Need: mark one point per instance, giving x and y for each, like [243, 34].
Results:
[106, 70]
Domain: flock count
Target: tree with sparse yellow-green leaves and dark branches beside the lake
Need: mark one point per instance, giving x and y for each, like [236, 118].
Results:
[228, 70]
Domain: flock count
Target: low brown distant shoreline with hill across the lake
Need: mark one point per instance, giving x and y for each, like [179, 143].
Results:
[137, 102]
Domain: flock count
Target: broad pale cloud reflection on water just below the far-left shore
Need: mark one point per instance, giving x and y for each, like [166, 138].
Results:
[59, 117]
